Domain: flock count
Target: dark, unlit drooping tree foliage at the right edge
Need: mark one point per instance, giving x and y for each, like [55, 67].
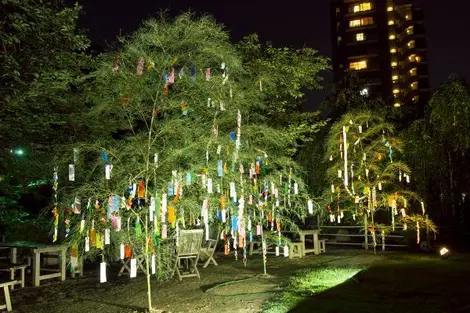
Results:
[437, 149]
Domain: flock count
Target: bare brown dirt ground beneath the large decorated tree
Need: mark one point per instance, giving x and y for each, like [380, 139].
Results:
[121, 294]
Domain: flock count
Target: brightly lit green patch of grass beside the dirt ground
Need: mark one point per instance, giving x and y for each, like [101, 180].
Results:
[305, 283]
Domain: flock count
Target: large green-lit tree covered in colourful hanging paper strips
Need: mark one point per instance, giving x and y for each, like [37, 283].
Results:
[185, 141]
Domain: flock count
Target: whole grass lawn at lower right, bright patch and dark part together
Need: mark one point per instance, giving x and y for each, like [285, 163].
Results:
[401, 283]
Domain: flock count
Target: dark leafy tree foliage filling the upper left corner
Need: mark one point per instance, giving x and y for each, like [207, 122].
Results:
[43, 75]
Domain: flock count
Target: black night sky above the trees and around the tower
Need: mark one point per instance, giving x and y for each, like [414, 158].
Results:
[288, 23]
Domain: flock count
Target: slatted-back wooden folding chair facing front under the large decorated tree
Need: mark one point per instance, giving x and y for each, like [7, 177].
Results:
[188, 250]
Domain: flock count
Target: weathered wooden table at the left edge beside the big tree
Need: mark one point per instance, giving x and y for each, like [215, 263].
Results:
[37, 250]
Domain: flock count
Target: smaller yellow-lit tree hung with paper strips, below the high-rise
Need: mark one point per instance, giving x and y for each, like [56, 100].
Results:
[367, 177]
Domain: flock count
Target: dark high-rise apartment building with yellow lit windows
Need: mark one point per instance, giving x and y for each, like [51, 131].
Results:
[383, 41]
